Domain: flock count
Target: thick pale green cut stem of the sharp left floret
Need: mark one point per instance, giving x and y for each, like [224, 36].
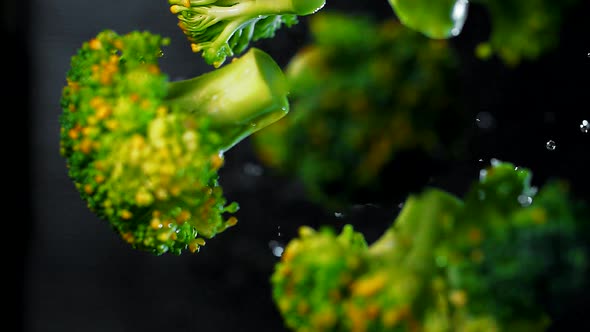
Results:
[240, 98]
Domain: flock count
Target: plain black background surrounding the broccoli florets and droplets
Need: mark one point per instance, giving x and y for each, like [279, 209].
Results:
[72, 273]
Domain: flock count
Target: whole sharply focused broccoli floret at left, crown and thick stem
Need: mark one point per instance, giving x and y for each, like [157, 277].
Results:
[145, 152]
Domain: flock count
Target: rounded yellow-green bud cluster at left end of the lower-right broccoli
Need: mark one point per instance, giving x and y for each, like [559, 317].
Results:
[326, 260]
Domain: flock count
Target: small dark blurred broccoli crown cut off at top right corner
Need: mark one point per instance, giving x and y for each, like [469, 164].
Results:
[522, 29]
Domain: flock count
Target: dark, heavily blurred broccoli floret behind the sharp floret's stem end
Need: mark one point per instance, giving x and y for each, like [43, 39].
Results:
[361, 93]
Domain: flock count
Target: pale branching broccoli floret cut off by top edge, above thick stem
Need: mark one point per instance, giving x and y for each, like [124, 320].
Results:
[222, 28]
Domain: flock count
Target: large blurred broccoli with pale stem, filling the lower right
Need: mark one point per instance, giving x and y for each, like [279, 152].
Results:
[505, 258]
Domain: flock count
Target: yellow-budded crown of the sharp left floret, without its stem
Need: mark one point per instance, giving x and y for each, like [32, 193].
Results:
[148, 168]
